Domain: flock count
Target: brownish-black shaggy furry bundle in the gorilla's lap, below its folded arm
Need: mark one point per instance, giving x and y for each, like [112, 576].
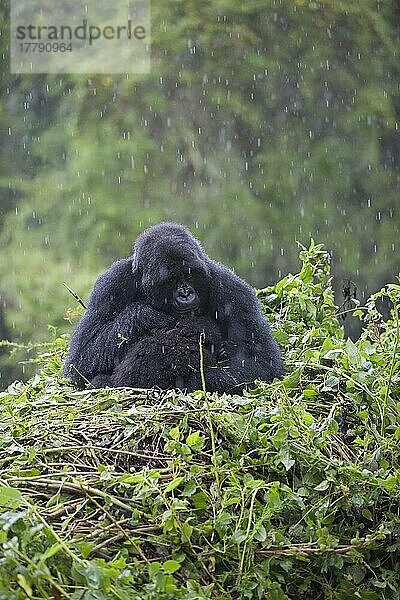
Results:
[170, 358]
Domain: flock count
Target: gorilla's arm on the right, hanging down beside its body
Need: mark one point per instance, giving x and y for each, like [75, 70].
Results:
[253, 352]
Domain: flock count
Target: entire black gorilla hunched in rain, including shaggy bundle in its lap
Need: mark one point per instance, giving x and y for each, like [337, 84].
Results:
[137, 329]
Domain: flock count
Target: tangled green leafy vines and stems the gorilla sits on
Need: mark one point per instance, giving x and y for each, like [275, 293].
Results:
[292, 491]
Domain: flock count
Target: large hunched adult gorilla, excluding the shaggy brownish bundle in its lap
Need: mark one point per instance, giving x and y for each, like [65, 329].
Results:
[170, 275]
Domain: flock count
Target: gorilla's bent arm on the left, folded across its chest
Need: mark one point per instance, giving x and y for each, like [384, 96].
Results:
[116, 312]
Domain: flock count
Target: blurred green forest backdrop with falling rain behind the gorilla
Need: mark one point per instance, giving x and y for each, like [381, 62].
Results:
[261, 123]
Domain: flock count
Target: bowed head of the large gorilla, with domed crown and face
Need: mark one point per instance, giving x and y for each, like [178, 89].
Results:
[173, 270]
